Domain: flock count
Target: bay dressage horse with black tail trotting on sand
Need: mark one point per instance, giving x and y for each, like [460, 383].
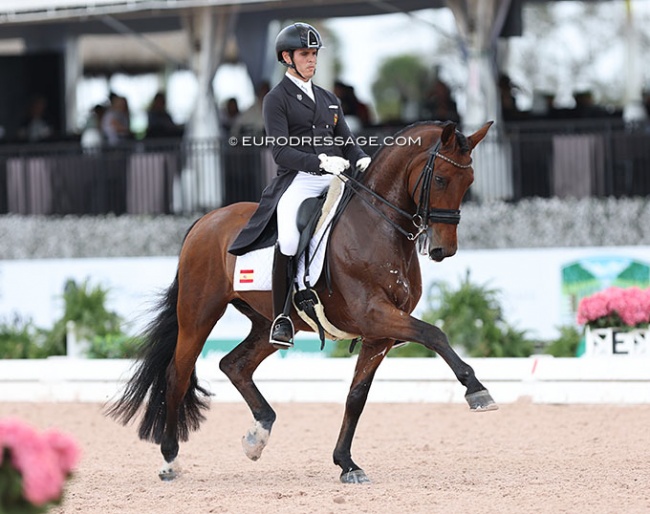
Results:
[409, 196]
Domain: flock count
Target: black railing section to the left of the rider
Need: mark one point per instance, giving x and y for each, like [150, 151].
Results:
[153, 177]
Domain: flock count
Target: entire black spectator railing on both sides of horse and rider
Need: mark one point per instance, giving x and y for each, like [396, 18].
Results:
[576, 158]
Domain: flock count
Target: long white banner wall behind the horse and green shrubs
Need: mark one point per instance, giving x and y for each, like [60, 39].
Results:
[532, 284]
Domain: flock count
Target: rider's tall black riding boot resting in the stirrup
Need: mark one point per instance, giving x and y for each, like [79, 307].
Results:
[282, 328]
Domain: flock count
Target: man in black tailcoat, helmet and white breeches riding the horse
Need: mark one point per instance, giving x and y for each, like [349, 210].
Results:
[311, 141]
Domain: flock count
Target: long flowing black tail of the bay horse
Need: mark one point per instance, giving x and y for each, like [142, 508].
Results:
[150, 379]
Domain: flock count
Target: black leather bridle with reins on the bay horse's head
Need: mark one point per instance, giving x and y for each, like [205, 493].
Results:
[424, 214]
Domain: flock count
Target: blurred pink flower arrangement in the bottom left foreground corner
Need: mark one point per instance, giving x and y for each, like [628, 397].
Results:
[33, 467]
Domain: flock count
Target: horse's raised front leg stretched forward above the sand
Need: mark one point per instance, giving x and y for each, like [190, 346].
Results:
[397, 325]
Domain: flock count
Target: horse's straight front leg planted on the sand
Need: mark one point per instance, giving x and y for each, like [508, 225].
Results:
[370, 356]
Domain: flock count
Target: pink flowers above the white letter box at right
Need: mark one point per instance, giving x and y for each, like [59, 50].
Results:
[616, 307]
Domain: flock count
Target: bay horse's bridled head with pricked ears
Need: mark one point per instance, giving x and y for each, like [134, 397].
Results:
[438, 179]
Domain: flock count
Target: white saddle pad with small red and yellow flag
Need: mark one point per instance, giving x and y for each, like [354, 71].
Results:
[253, 271]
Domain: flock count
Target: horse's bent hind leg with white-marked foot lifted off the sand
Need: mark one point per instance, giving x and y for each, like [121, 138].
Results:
[239, 366]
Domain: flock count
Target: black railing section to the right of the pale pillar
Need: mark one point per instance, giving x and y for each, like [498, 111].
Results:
[579, 158]
